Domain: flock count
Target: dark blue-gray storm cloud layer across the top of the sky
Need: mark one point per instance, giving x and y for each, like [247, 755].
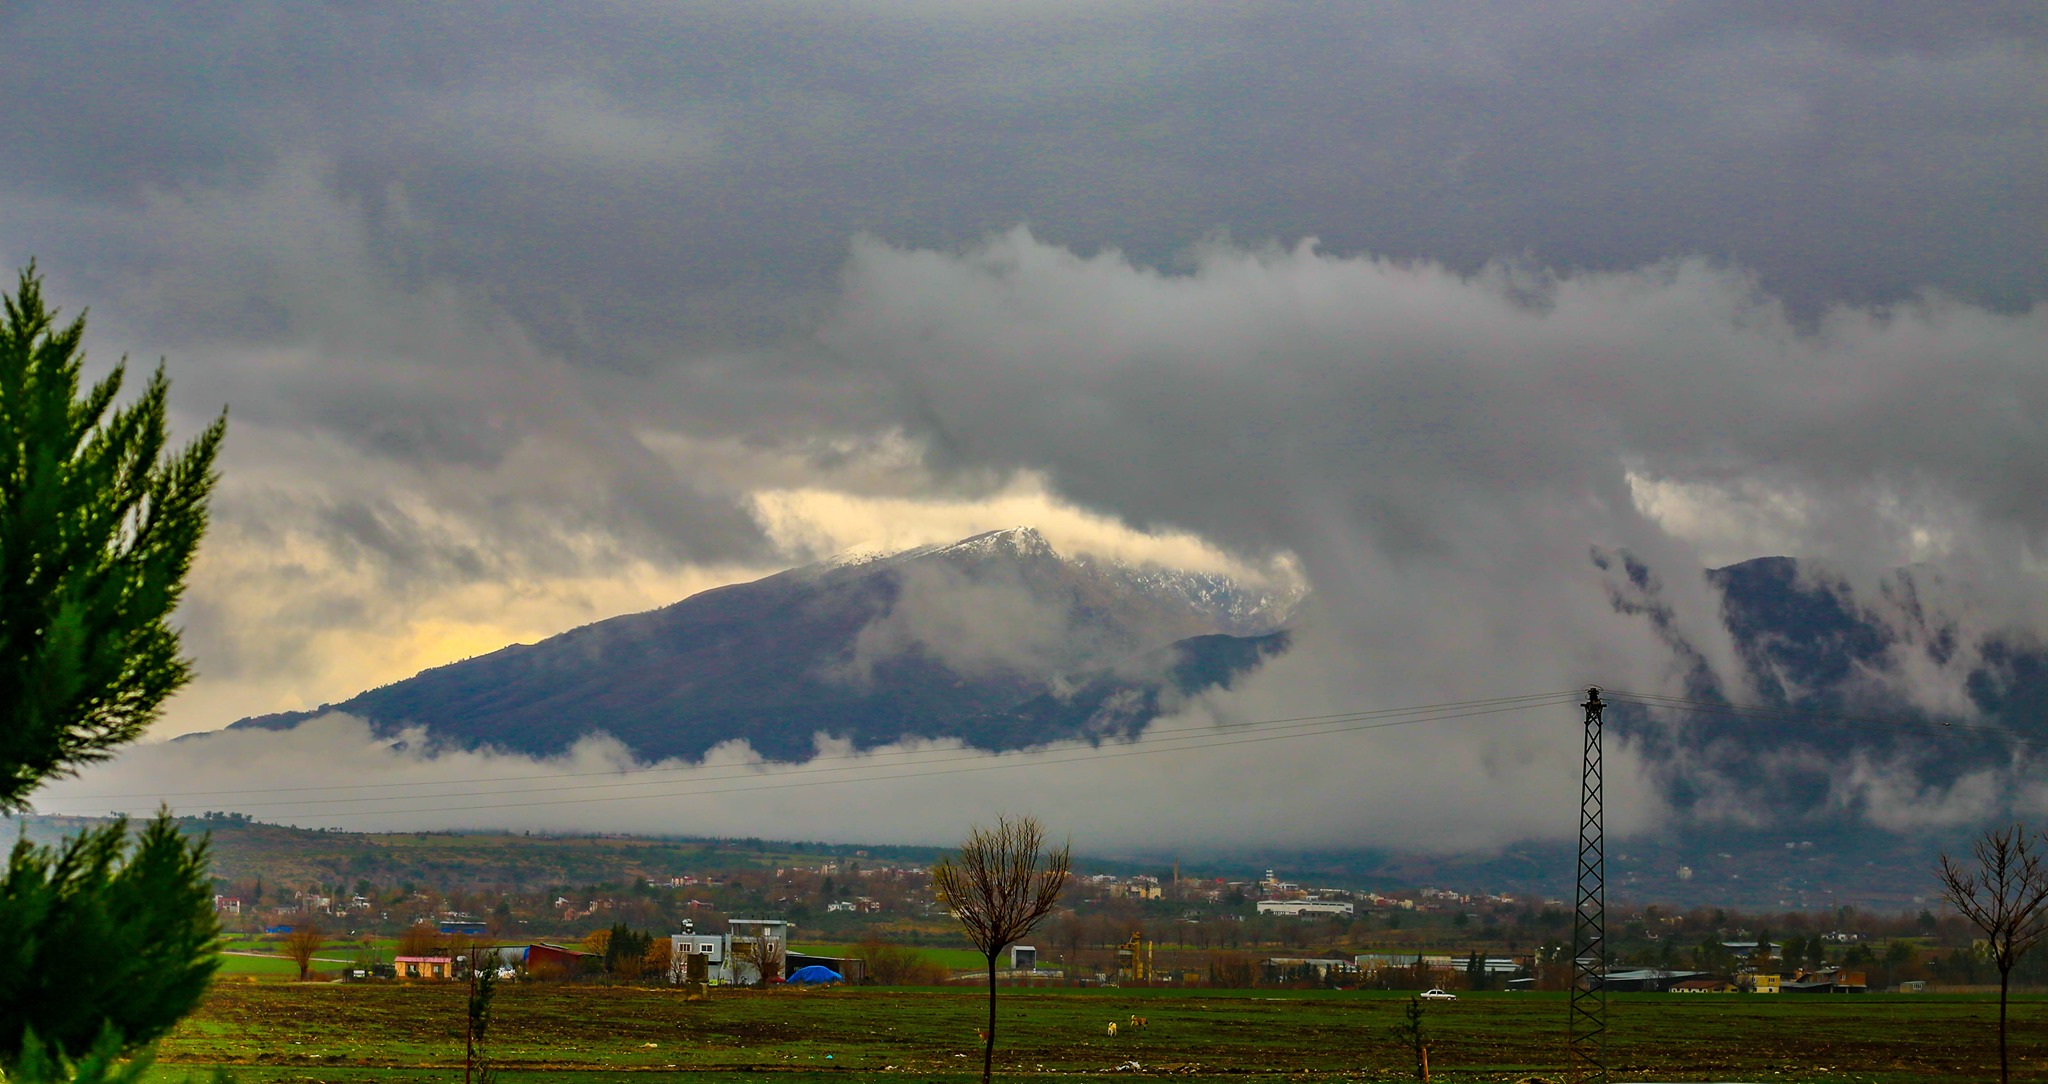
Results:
[626, 177]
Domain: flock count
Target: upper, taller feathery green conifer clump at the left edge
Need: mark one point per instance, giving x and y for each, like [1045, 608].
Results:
[97, 532]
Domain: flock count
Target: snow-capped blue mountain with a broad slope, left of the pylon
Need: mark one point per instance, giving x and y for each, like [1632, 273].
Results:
[996, 640]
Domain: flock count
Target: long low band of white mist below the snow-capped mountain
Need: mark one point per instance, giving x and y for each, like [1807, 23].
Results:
[1496, 780]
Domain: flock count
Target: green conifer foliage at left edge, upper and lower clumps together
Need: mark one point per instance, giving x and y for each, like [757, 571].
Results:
[103, 946]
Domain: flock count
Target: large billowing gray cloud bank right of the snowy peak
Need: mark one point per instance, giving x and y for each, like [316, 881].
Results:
[1439, 450]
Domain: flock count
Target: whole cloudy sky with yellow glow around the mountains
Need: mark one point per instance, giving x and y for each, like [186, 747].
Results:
[529, 317]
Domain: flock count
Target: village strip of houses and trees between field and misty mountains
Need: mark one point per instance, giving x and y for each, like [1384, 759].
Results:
[873, 921]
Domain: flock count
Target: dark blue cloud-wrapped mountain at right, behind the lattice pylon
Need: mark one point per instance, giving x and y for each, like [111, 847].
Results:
[1834, 737]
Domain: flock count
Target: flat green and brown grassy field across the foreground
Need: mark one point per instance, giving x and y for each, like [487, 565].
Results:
[593, 1034]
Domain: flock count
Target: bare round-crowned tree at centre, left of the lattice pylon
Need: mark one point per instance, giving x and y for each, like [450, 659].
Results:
[1000, 886]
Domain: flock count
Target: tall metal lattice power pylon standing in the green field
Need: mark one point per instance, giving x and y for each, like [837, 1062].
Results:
[1586, 1038]
